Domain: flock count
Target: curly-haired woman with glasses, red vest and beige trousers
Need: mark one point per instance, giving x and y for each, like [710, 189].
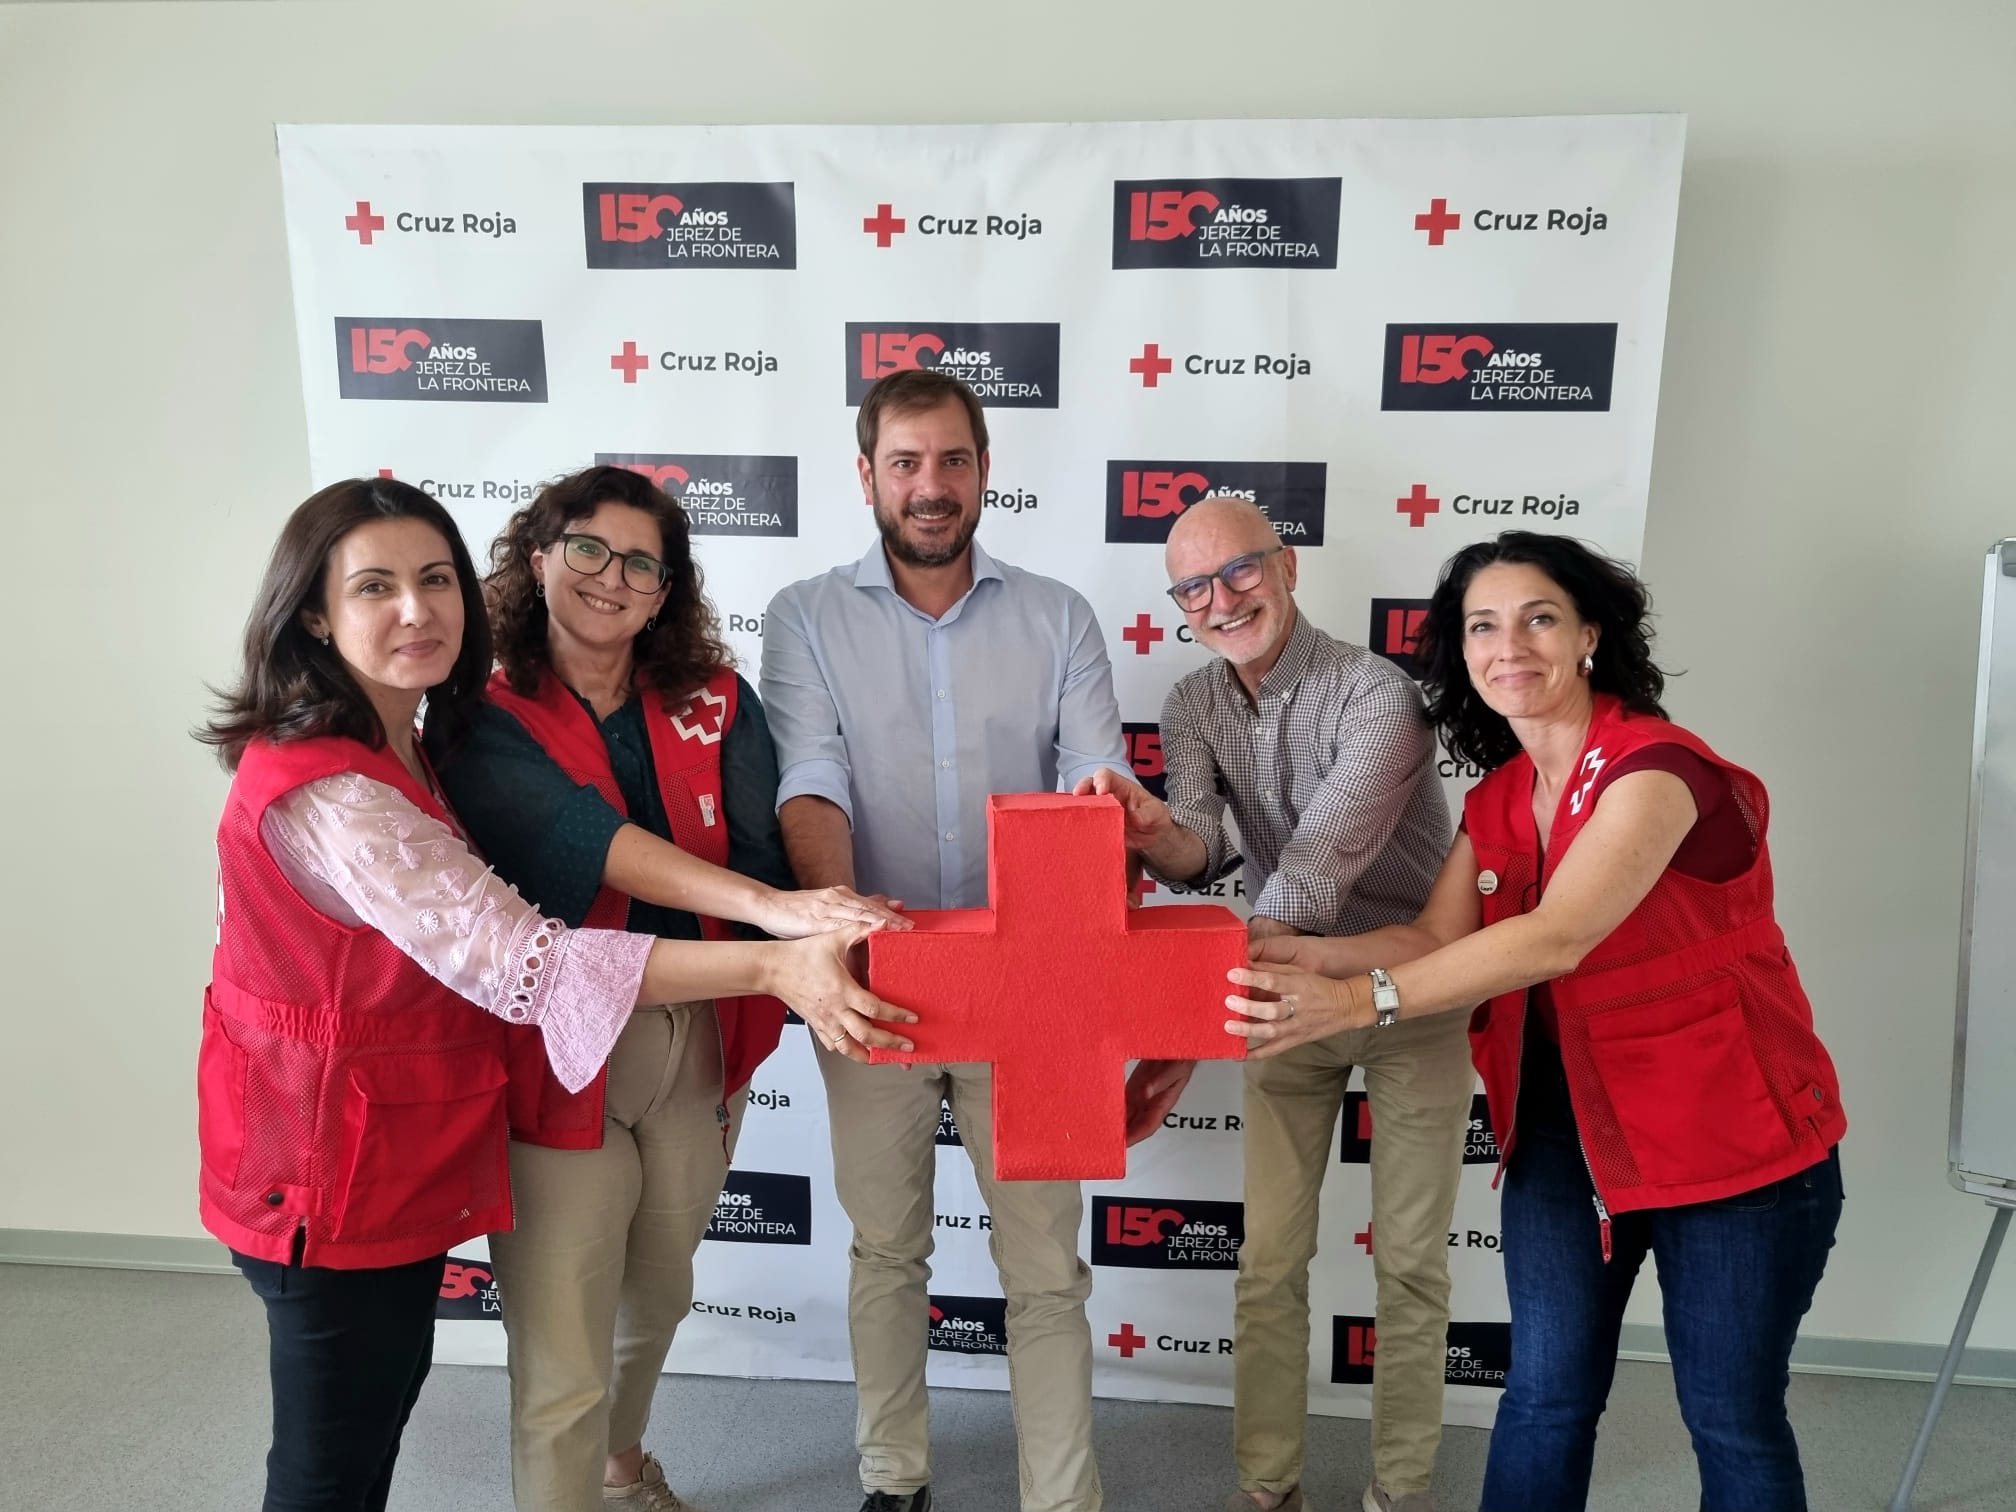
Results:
[624, 775]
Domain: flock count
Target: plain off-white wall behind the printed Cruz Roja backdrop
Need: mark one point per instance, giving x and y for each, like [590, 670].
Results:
[1832, 463]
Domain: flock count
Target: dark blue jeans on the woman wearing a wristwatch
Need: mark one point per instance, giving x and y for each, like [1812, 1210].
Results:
[1737, 1279]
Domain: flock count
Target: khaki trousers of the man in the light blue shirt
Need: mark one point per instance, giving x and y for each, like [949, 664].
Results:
[884, 1164]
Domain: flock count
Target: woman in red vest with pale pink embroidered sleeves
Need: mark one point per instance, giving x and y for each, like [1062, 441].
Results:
[352, 1082]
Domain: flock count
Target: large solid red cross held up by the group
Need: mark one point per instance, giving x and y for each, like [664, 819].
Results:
[1059, 985]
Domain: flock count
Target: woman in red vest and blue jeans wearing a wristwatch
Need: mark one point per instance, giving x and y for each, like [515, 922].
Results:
[1654, 1078]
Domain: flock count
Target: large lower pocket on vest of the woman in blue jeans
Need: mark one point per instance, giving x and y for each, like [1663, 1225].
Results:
[1686, 1088]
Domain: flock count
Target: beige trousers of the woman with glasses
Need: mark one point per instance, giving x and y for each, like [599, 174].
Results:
[600, 1271]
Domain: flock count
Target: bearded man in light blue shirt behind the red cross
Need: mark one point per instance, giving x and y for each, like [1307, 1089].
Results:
[904, 690]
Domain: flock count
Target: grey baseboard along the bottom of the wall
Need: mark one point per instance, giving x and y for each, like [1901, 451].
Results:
[1817, 1356]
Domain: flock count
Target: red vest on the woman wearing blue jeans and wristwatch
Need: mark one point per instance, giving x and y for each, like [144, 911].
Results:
[1688, 1041]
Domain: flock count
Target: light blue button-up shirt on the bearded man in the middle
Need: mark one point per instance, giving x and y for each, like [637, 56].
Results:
[910, 723]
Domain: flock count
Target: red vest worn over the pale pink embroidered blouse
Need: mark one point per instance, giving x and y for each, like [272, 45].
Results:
[342, 1092]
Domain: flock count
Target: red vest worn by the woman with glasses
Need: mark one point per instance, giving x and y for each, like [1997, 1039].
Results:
[686, 753]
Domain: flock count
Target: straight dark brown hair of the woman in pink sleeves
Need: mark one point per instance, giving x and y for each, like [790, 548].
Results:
[291, 686]
